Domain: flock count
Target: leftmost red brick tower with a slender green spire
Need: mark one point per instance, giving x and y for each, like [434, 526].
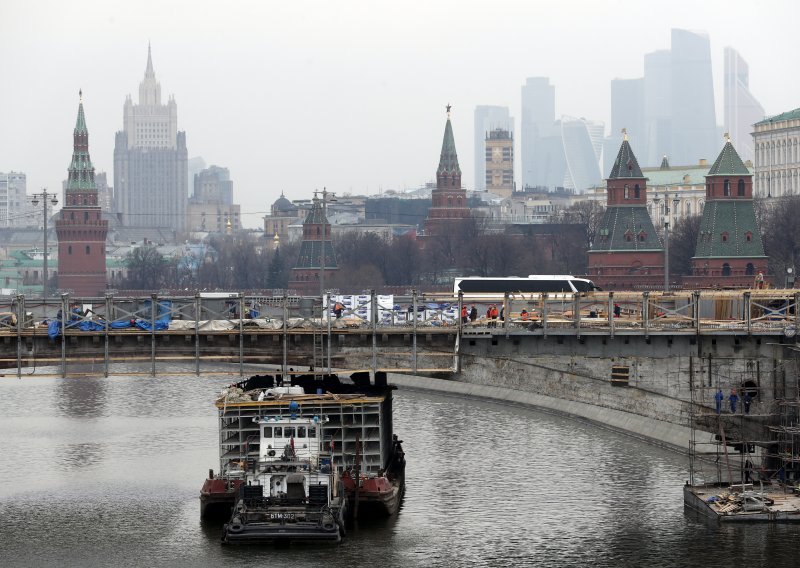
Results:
[80, 229]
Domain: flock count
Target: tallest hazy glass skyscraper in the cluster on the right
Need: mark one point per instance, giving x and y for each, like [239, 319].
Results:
[694, 121]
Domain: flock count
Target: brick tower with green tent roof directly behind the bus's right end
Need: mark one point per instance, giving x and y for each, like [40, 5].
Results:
[627, 253]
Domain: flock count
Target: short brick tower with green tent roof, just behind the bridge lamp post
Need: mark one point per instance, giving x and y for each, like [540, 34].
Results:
[312, 260]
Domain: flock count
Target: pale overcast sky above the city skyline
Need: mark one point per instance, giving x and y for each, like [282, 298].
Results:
[293, 96]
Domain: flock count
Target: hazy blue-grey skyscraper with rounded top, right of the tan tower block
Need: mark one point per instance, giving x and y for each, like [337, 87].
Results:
[537, 129]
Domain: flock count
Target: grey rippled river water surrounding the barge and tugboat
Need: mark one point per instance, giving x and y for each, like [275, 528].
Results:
[107, 472]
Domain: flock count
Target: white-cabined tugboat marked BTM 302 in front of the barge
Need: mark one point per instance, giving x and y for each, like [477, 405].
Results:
[290, 493]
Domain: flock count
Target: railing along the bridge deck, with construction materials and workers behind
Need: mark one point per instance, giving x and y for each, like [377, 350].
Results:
[706, 311]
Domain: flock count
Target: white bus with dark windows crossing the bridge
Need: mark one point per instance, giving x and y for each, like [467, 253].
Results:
[533, 284]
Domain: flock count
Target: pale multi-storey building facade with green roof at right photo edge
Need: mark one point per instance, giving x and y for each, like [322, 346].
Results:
[777, 146]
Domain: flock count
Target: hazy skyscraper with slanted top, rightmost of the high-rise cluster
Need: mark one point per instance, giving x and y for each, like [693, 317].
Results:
[742, 110]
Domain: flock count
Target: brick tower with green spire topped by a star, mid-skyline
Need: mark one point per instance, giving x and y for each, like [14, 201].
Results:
[449, 206]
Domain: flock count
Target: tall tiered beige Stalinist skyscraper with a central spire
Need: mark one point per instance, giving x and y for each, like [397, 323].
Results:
[151, 161]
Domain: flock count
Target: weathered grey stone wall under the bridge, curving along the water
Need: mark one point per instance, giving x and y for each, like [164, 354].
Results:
[572, 376]
